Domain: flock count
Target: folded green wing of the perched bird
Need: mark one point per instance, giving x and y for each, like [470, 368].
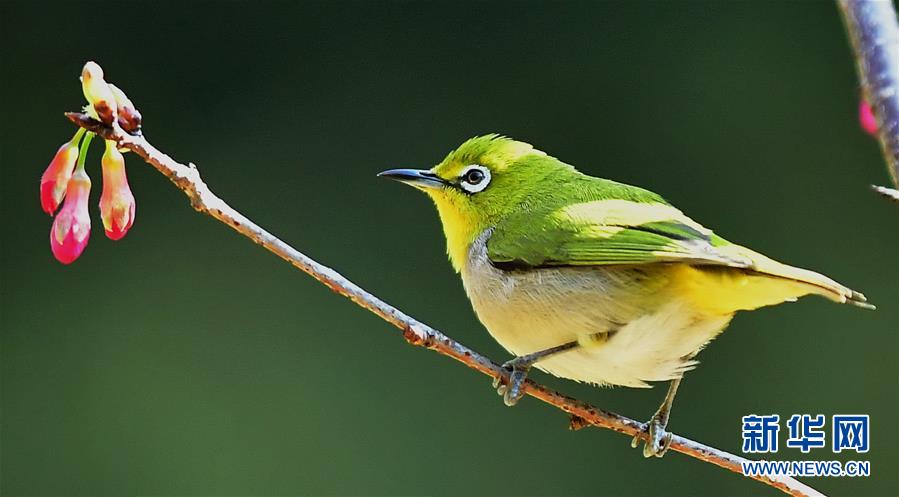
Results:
[608, 232]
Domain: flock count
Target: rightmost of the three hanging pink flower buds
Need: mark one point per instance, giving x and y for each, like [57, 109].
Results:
[116, 202]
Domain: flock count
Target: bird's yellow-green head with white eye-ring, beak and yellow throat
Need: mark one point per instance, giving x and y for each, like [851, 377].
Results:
[482, 181]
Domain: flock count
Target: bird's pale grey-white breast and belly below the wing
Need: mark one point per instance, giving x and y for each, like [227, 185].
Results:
[653, 332]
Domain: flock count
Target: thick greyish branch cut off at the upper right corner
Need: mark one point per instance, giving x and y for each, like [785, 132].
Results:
[874, 36]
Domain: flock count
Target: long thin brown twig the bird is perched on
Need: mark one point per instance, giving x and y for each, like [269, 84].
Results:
[187, 178]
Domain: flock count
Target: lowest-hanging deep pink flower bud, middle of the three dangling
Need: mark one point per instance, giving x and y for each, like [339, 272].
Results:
[72, 227]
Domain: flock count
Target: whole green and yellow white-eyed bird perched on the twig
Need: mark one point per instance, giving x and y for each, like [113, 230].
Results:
[593, 280]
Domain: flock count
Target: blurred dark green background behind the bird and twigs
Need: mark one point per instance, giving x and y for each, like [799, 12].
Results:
[184, 359]
